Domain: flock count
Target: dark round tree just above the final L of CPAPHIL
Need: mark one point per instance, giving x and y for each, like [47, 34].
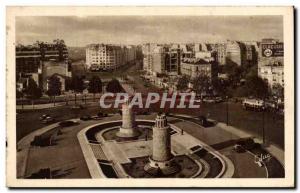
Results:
[202, 84]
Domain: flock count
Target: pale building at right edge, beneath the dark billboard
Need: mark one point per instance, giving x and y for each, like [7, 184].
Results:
[273, 74]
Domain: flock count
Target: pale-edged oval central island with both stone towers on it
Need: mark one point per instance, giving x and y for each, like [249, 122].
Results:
[148, 149]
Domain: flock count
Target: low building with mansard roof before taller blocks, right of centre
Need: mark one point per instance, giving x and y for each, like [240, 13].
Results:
[195, 67]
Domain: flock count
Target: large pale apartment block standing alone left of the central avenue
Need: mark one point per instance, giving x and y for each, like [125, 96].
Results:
[108, 57]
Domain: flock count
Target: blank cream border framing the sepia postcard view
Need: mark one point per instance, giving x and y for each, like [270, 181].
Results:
[289, 93]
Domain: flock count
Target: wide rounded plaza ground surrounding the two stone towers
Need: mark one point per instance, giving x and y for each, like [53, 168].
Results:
[92, 149]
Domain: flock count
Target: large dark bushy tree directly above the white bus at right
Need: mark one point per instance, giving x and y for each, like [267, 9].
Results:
[257, 87]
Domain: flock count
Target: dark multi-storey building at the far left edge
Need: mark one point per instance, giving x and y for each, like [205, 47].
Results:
[33, 60]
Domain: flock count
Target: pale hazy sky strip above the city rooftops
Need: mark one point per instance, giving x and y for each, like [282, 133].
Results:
[80, 31]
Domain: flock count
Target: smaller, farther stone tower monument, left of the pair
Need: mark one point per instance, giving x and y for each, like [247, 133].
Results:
[128, 128]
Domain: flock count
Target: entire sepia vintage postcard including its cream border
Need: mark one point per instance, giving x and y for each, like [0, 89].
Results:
[150, 97]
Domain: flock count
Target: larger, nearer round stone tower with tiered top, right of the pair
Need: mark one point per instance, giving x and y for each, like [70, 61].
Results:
[161, 163]
